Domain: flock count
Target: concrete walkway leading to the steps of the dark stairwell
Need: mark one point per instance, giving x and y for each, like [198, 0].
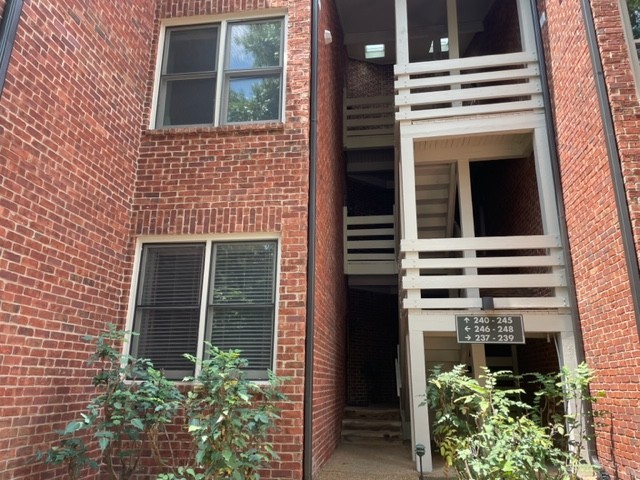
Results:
[376, 462]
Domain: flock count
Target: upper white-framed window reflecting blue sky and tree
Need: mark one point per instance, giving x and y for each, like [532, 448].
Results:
[228, 72]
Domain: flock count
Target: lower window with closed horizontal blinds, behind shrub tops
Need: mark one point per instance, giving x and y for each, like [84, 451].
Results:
[223, 292]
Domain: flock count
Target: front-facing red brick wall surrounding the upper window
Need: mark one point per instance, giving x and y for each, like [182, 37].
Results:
[243, 179]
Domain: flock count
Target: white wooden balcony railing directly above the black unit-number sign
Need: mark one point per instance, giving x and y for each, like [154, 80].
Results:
[458, 267]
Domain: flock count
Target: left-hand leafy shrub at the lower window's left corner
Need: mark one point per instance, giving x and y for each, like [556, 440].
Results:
[135, 401]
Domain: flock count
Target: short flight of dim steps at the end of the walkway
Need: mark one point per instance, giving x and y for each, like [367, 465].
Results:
[371, 425]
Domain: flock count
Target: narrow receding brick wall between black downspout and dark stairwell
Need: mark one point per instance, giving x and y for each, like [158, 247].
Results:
[330, 330]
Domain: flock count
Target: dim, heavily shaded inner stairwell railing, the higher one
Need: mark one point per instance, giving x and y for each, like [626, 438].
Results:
[368, 122]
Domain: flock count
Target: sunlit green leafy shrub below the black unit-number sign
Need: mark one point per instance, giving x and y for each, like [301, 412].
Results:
[486, 432]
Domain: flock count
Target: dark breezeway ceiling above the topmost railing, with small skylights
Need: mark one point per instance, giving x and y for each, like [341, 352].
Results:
[373, 22]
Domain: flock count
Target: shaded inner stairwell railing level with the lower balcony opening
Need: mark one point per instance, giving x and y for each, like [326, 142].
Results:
[370, 245]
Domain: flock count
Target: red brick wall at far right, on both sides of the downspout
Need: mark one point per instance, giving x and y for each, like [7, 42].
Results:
[604, 302]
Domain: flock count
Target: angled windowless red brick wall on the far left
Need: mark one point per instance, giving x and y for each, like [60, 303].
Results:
[69, 131]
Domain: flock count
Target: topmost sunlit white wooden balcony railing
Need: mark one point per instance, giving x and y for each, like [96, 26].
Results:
[468, 86]
